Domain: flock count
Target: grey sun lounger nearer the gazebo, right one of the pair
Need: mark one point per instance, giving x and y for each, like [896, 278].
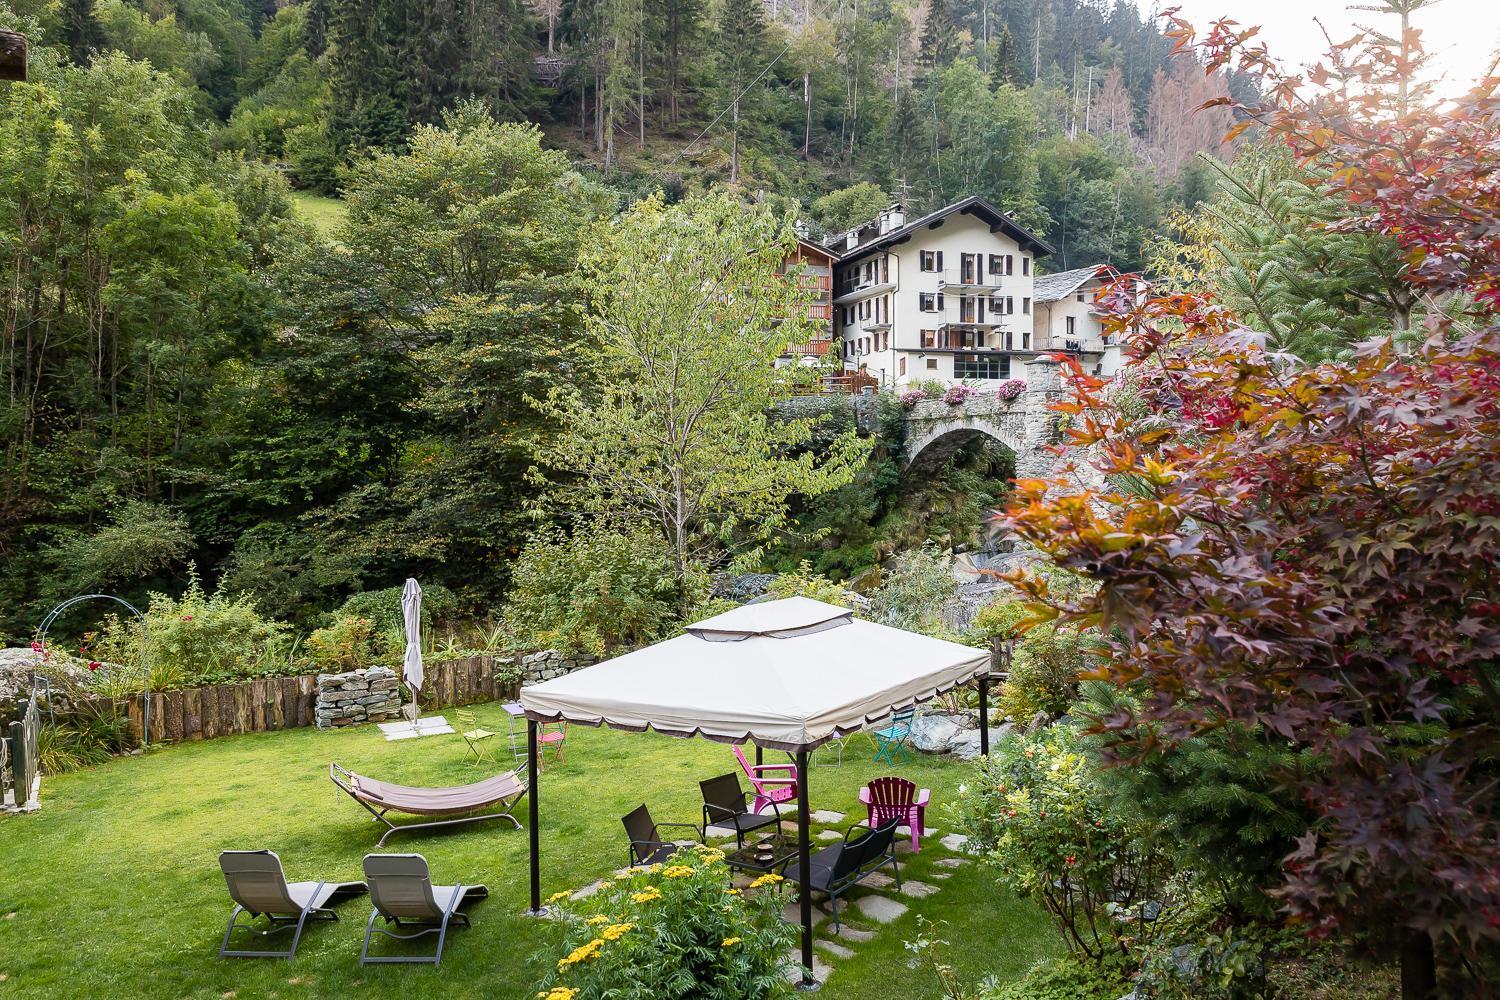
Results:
[403, 893]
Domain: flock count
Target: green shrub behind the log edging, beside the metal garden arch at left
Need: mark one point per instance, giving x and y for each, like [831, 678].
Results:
[193, 638]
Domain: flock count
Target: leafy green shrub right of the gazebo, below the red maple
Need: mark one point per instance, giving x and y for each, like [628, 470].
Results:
[1039, 816]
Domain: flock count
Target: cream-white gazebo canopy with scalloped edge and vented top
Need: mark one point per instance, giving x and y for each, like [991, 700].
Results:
[788, 675]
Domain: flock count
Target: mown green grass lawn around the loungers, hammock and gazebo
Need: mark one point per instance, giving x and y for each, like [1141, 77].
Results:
[113, 888]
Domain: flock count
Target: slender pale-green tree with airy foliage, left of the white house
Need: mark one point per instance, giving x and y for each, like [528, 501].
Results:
[673, 425]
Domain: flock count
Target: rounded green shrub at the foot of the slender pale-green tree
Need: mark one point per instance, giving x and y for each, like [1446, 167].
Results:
[596, 591]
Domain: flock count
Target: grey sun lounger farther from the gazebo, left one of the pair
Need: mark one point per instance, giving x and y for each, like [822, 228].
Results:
[260, 888]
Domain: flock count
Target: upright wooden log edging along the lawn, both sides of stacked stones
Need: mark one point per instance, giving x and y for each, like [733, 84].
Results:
[292, 702]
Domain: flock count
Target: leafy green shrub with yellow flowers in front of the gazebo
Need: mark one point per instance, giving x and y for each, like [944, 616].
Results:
[671, 932]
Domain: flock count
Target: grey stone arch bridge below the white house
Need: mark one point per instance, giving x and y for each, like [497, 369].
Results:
[937, 430]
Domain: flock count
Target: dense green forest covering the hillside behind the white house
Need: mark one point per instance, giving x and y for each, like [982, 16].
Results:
[199, 379]
